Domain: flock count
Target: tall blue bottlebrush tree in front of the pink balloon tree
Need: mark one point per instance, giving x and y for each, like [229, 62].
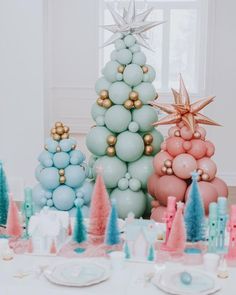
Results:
[194, 216]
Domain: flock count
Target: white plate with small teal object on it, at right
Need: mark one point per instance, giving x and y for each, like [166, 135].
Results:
[168, 280]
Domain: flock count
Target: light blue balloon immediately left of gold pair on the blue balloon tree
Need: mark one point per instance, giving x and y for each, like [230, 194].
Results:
[49, 178]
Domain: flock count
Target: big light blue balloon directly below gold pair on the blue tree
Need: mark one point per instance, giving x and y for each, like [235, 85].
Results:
[63, 197]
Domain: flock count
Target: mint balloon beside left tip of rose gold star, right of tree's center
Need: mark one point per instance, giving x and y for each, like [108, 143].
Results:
[145, 116]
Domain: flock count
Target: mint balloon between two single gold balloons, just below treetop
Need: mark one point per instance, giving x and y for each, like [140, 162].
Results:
[133, 75]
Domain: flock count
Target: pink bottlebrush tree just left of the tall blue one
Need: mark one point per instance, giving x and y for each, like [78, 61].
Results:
[177, 237]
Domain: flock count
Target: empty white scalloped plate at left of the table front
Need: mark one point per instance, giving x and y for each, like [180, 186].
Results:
[78, 274]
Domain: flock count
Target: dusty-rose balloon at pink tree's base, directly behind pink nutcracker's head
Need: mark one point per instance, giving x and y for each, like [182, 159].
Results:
[170, 185]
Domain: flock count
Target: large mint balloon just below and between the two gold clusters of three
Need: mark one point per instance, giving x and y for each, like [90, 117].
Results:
[117, 118]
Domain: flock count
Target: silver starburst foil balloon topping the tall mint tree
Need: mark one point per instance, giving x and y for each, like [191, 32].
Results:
[130, 23]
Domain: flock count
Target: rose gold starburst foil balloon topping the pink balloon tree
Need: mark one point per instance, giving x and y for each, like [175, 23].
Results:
[183, 110]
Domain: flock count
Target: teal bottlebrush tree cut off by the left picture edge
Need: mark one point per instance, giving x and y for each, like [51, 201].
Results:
[4, 202]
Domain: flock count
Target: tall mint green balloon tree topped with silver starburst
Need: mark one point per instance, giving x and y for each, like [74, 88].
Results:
[123, 142]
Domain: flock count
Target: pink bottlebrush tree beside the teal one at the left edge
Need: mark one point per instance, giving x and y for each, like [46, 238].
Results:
[13, 223]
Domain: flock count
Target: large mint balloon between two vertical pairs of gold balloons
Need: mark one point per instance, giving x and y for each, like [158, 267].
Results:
[129, 146]
